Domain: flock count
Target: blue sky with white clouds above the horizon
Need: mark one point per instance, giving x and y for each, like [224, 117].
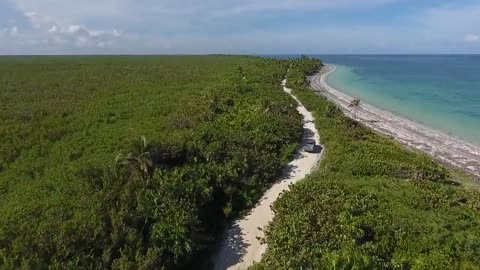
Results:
[239, 27]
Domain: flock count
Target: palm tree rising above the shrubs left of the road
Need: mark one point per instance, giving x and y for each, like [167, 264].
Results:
[137, 162]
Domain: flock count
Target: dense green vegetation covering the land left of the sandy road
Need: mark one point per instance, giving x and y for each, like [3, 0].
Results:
[134, 162]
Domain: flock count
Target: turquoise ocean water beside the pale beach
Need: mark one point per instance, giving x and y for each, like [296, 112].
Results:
[442, 92]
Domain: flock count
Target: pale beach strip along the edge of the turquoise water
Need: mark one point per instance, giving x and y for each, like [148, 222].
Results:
[446, 148]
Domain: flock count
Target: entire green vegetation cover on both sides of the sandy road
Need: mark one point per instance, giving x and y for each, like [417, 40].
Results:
[136, 163]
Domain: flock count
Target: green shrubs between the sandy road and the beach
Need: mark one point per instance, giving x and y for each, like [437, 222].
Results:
[372, 204]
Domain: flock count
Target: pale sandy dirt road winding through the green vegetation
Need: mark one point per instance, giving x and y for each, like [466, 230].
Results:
[241, 246]
